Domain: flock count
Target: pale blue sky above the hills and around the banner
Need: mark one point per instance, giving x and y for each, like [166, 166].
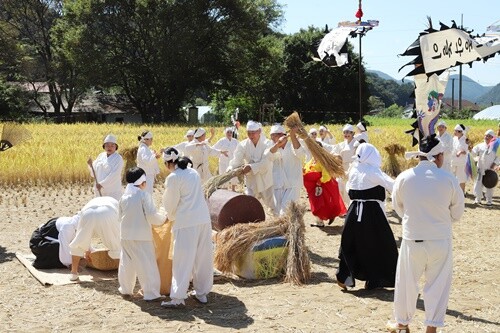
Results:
[400, 23]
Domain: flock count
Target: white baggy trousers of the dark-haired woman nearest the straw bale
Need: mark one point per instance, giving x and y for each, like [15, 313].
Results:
[192, 257]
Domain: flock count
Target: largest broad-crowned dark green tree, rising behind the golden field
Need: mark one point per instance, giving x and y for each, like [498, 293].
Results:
[161, 53]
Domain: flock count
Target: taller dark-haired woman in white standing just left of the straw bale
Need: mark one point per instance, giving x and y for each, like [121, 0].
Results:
[187, 208]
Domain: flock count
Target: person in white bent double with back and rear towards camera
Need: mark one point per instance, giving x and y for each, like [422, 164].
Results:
[98, 217]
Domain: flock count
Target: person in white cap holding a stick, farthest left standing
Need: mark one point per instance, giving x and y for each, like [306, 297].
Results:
[108, 169]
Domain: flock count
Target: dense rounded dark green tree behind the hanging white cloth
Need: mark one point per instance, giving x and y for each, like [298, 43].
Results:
[319, 93]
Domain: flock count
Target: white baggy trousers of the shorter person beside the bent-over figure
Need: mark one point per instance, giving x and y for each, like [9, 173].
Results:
[138, 260]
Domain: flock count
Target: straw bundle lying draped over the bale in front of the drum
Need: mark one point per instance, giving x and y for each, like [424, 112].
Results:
[234, 242]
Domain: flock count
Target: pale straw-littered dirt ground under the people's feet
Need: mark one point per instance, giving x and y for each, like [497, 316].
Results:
[239, 305]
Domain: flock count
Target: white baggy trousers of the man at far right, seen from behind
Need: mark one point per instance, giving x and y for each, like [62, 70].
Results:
[433, 259]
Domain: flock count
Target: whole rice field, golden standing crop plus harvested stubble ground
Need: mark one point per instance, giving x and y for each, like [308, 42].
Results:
[47, 177]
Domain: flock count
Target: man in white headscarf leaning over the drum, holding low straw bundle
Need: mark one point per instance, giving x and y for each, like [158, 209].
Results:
[253, 154]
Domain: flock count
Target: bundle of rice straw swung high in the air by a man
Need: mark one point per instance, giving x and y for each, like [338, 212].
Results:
[332, 163]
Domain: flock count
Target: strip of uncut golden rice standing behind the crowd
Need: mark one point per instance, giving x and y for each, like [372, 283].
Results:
[58, 152]
